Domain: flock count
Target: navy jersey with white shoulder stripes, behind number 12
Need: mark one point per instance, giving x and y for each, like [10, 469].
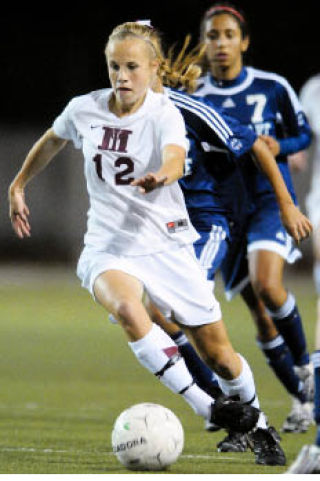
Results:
[213, 183]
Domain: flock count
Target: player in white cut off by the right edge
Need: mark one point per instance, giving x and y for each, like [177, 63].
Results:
[308, 460]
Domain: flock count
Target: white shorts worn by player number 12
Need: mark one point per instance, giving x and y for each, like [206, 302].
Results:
[173, 279]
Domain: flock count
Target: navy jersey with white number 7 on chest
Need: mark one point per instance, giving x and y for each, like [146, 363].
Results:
[266, 103]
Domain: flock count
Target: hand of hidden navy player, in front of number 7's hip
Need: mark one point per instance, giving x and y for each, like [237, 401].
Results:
[296, 223]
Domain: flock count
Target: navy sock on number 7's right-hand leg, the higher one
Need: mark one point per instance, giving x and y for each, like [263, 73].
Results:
[288, 321]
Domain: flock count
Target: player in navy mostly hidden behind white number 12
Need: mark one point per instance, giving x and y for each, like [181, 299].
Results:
[218, 206]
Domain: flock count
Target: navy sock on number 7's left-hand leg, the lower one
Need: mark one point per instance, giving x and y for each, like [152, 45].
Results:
[280, 360]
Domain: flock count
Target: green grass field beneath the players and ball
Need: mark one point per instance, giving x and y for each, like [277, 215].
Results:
[66, 373]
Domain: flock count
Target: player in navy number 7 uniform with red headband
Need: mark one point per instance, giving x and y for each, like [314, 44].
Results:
[267, 104]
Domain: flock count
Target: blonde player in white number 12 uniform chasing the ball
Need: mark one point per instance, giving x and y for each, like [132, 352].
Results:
[139, 235]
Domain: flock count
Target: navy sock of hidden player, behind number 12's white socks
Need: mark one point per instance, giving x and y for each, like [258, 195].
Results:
[201, 373]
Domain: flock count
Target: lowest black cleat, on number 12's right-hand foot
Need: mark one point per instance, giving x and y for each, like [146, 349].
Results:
[266, 447]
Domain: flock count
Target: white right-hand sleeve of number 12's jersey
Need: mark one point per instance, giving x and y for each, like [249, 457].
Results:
[171, 128]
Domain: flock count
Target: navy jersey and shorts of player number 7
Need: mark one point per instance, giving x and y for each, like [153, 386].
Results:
[267, 104]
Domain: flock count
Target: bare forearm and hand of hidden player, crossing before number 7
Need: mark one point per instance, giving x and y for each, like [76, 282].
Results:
[296, 224]
